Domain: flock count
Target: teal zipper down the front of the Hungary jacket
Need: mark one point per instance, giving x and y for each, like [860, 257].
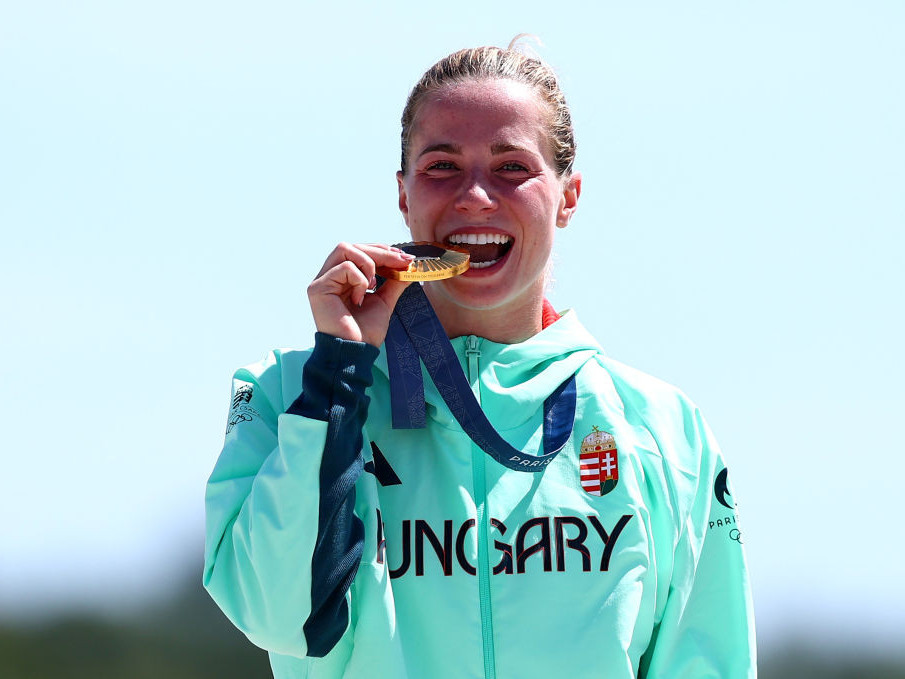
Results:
[478, 459]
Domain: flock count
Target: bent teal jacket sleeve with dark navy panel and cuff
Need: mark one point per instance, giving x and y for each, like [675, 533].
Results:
[283, 544]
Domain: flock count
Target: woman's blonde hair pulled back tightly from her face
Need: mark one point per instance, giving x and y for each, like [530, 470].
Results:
[487, 63]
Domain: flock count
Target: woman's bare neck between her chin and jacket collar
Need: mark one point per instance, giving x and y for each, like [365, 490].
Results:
[516, 322]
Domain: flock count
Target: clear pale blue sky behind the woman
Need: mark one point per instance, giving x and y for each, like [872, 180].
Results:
[172, 175]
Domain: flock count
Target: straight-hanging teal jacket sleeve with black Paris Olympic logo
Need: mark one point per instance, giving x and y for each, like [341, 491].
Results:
[707, 627]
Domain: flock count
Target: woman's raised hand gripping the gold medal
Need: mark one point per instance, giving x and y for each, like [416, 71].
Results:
[339, 298]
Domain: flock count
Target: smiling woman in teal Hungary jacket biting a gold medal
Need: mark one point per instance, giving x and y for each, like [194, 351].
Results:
[585, 530]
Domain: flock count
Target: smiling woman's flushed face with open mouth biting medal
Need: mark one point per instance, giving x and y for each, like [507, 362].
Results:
[480, 175]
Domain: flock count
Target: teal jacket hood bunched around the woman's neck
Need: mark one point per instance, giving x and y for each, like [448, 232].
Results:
[515, 378]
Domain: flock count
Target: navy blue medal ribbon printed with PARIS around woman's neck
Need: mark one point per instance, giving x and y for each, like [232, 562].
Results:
[415, 333]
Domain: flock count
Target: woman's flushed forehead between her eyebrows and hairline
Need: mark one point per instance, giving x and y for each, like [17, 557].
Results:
[484, 111]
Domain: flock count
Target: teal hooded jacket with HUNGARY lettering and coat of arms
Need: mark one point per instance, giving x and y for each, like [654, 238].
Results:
[346, 548]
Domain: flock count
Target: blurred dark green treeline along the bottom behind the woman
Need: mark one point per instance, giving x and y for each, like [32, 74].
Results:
[185, 636]
